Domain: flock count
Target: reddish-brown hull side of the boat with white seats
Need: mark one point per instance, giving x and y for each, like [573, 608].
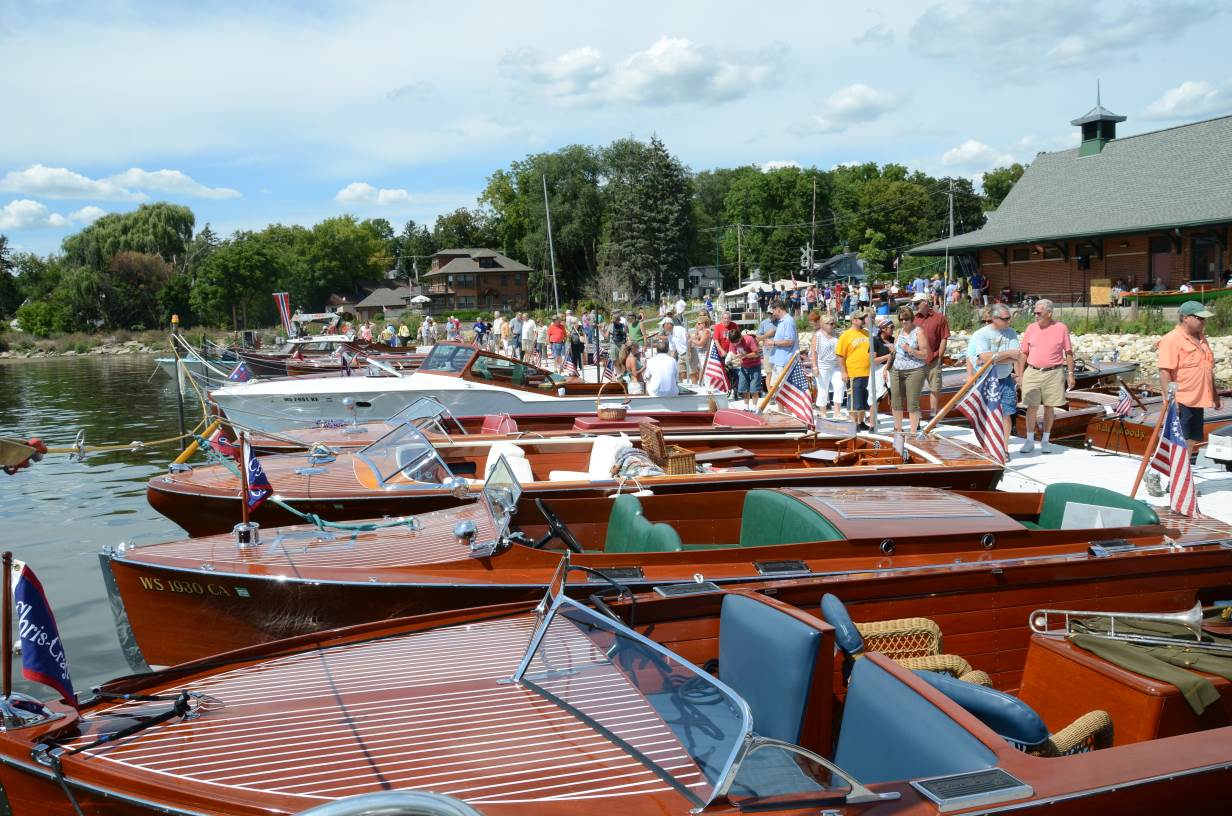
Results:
[208, 515]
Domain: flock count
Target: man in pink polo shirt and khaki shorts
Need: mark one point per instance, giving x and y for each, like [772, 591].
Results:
[1047, 369]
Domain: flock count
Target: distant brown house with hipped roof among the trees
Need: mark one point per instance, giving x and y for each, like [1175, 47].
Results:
[476, 279]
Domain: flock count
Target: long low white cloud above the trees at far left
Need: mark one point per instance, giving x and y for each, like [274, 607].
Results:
[62, 183]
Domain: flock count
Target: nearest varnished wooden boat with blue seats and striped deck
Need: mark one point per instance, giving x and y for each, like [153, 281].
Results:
[561, 708]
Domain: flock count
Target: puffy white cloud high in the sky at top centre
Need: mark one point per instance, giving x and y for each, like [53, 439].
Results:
[673, 71]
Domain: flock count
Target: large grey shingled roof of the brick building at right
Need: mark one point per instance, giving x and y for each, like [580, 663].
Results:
[1178, 177]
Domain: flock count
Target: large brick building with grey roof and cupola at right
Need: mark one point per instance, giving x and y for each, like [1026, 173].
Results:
[1154, 210]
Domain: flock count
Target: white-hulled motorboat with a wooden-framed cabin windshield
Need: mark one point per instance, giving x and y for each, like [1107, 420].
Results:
[466, 380]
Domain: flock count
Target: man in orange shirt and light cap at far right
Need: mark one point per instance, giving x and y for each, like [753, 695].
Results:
[1187, 361]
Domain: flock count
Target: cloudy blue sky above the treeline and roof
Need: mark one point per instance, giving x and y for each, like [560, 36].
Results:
[275, 113]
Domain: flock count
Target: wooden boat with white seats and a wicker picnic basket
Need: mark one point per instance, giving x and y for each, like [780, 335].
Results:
[406, 473]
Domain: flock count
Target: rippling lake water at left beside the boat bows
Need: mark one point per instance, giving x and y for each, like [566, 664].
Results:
[59, 515]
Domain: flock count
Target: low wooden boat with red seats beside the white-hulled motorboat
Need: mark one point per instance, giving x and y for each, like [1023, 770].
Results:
[342, 436]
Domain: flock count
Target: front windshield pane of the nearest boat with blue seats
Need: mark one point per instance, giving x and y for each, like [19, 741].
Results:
[663, 712]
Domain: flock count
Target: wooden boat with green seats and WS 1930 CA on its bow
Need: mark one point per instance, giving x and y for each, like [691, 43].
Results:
[184, 600]
